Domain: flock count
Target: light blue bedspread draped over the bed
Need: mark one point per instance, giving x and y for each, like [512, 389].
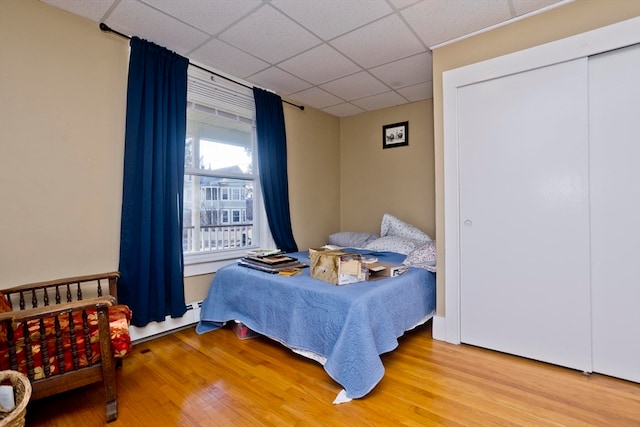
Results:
[350, 325]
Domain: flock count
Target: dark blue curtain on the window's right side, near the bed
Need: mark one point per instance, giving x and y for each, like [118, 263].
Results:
[272, 163]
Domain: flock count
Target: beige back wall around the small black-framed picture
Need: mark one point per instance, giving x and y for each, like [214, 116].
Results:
[399, 180]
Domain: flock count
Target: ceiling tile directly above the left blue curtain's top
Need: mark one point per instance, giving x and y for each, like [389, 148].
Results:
[136, 19]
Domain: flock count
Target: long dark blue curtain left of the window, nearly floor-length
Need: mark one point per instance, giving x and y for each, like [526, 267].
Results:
[151, 261]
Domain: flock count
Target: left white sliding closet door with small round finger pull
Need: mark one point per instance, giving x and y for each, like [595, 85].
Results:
[524, 249]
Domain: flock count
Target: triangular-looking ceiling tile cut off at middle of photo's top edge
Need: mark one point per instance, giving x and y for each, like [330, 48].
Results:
[331, 18]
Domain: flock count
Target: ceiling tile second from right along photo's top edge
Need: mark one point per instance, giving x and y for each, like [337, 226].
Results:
[437, 21]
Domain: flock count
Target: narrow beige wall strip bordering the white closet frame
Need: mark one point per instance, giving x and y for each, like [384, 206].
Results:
[573, 18]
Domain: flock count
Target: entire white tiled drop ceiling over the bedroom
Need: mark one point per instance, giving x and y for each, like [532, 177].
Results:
[344, 57]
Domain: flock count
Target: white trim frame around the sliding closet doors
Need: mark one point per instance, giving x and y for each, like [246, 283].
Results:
[593, 42]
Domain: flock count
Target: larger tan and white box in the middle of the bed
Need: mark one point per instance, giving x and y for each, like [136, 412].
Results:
[336, 266]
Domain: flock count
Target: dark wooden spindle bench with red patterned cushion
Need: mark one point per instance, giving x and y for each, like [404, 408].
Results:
[65, 333]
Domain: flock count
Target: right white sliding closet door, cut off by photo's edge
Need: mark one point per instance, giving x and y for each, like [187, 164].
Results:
[614, 138]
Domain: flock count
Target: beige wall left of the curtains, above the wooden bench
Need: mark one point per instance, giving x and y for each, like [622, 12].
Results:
[62, 109]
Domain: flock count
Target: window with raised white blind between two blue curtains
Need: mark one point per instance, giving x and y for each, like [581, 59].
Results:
[223, 211]
